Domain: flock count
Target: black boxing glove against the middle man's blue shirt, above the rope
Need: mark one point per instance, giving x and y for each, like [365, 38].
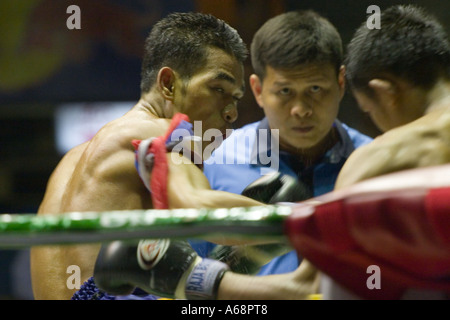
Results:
[277, 187]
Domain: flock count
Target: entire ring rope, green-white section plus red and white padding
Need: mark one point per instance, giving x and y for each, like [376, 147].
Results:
[402, 228]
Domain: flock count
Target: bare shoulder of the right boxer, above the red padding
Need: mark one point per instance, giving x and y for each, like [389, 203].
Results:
[421, 143]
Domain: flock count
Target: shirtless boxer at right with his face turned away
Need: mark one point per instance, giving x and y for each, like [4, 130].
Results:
[400, 75]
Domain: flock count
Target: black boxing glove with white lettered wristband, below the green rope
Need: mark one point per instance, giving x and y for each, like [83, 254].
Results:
[162, 267]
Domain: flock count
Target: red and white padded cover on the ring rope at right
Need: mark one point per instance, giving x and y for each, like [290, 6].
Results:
[398, 222]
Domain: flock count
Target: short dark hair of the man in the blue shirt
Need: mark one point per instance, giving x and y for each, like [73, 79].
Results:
[296, 38]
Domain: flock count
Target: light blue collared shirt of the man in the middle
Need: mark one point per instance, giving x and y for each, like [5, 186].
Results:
[252, 151]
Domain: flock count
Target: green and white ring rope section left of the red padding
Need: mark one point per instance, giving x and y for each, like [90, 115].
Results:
[25, 230]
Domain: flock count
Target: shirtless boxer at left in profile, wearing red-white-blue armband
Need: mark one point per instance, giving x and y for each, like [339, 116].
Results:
[193, 64]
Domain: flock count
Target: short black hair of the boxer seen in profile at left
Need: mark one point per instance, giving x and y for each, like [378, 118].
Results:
[181, 41]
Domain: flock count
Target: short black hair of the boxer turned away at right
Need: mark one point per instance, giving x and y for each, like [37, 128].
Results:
[410, 44]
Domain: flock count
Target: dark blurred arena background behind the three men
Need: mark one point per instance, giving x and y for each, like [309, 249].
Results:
[59, 86]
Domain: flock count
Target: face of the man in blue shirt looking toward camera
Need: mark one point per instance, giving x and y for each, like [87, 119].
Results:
[302, 103]
